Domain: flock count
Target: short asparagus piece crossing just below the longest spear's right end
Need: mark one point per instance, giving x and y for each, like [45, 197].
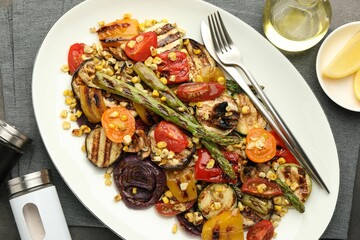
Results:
[219, 157]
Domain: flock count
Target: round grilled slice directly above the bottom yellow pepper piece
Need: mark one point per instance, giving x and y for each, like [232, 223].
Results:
[215, 199]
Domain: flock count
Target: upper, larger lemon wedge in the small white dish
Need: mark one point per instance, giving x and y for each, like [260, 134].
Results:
[347, 61]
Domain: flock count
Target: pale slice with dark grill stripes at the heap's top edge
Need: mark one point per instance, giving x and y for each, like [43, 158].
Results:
[169, 36]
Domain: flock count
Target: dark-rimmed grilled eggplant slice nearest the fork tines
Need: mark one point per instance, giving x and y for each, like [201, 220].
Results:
[198, 57]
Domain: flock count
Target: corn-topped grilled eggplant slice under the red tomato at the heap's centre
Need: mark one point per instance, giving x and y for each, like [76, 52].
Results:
[169, 160]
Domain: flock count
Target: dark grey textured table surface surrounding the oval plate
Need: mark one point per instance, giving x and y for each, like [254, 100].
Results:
[23, 26]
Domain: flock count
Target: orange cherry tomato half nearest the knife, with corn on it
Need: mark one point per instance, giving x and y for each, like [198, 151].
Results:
[260, 145]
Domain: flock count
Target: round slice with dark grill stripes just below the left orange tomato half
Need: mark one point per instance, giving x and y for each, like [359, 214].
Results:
[100, 150]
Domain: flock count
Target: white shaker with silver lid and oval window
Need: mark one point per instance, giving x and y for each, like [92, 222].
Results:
[36, 207]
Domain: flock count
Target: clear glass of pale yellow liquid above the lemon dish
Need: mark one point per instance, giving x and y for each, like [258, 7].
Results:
[296, 25]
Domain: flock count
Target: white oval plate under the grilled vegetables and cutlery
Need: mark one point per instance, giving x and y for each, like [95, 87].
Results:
[284, 85]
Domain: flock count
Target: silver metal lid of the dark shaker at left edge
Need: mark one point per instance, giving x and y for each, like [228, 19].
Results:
[12, 135]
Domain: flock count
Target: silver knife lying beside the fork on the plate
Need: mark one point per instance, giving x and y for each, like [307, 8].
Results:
[235, 74]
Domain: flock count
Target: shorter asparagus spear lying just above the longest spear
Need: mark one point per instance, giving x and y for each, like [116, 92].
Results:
[150, 79]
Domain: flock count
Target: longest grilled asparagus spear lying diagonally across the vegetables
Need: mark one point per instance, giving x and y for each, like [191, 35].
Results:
[113, 85]
